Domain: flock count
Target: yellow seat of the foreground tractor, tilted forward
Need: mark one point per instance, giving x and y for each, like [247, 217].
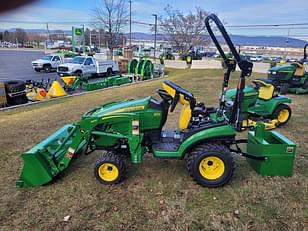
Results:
[185, 114]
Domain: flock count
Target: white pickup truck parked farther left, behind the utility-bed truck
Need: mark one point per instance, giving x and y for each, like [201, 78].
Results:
[48, 63]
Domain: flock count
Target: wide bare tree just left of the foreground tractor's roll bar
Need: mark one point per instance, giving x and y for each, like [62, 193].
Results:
[185, 30]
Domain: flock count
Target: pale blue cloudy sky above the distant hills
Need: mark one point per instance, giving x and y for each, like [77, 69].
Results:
[236, 12]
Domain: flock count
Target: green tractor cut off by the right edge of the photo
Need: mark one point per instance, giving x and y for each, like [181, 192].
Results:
[291, 77]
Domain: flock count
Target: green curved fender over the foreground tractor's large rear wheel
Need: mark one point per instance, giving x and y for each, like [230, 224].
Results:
[225, 132]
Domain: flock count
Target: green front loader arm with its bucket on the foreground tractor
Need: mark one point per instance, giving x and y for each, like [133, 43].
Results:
[53, 155]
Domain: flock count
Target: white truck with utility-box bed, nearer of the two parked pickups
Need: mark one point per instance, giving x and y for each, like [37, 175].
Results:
[87, 65]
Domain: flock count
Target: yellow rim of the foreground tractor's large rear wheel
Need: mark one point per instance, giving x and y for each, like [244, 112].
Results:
[211, 167]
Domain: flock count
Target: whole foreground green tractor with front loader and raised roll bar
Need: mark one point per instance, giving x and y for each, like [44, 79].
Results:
[129, 129]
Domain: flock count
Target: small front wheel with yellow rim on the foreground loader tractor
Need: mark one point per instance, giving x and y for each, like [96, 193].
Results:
[110, 169]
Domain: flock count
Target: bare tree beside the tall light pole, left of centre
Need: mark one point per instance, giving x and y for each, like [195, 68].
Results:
[111, 16]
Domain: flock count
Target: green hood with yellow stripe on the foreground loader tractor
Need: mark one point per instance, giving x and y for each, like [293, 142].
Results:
[125, 106]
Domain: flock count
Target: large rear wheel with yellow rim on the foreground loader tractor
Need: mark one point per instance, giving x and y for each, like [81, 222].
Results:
[211, 165]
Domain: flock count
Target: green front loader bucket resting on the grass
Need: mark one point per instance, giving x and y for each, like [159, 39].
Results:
[44, 161]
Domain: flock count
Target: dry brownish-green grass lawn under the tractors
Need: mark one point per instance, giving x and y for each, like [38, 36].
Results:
[157, 195]
